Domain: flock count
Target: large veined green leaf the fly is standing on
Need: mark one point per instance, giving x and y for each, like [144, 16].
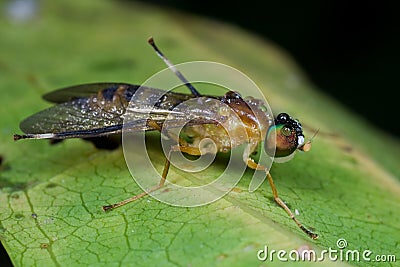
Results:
[347, 186]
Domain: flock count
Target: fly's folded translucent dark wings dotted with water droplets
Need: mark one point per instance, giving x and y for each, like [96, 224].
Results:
[87, 112]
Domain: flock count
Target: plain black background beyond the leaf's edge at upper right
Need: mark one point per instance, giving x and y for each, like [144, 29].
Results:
[349, 49]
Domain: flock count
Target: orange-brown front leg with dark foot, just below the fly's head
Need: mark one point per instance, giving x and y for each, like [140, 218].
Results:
[253, 165]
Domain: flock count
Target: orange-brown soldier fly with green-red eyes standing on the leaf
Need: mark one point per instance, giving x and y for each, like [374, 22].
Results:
[96, 110]
